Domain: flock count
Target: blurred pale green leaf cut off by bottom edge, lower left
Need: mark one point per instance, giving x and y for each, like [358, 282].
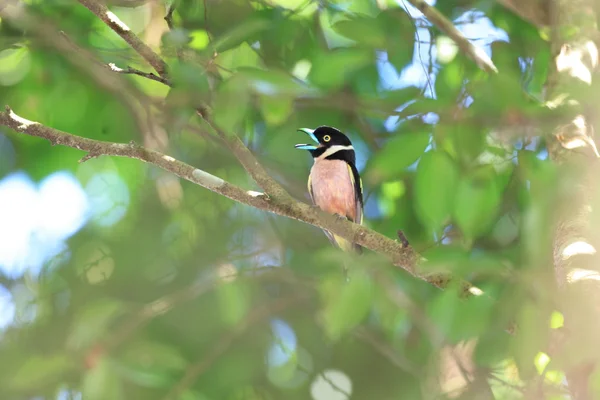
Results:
[102, 382]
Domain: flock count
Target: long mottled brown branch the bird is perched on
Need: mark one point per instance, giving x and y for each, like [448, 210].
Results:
[400, 255]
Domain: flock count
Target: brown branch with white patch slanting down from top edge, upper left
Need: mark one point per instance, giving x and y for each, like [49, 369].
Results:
[114, 23]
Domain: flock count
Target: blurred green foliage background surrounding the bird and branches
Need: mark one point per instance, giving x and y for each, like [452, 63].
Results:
[119, 281]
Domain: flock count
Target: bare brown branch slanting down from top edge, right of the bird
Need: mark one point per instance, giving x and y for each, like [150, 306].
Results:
[446, 26]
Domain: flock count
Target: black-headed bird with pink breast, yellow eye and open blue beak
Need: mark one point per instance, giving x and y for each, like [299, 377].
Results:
[334, 183]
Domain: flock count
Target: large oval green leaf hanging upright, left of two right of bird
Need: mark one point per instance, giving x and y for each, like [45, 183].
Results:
[435, 188]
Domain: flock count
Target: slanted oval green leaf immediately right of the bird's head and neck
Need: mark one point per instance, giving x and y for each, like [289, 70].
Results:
[398, 153]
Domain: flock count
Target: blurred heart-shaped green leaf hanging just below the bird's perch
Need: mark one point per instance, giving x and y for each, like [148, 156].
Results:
[346, 304]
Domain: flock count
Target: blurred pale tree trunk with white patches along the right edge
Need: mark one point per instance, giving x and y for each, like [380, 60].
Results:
[570, 84]
